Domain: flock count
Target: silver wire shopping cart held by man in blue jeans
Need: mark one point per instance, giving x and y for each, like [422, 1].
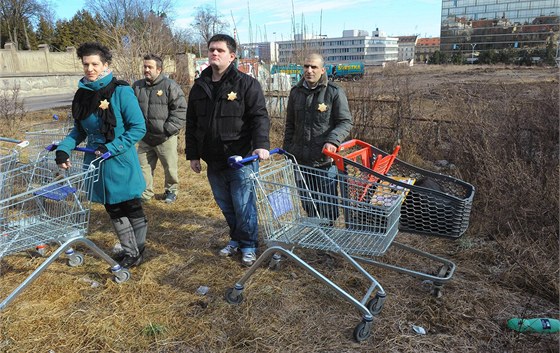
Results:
[286, 196]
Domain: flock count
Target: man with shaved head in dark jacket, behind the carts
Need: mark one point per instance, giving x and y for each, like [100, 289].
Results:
[317, 118]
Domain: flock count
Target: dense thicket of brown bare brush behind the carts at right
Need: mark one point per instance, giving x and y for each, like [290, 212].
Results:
[501, 137]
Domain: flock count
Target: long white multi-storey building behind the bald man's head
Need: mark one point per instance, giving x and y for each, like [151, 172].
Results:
[354, 45]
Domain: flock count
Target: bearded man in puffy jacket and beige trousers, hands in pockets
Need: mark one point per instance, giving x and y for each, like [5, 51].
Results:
[164, 106]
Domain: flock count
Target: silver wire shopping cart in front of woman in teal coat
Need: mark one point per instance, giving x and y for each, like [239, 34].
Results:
[50, 207]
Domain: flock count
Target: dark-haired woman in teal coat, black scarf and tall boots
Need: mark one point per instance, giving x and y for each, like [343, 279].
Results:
[107, 114]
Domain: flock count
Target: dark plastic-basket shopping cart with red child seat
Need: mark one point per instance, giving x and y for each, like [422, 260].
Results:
[434, 204]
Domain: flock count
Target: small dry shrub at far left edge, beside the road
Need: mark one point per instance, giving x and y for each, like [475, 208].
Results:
[12, 112]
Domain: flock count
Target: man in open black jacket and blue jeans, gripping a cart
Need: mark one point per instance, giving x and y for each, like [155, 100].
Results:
[227, 116]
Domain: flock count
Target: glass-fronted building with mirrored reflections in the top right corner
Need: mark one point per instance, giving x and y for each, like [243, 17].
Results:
[469, 26]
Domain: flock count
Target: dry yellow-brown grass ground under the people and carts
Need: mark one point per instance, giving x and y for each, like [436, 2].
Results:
[287, 310]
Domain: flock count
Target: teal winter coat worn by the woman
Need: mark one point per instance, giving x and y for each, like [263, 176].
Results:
[120, 177]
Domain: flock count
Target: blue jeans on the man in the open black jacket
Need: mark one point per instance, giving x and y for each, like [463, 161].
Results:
[234, 194]
